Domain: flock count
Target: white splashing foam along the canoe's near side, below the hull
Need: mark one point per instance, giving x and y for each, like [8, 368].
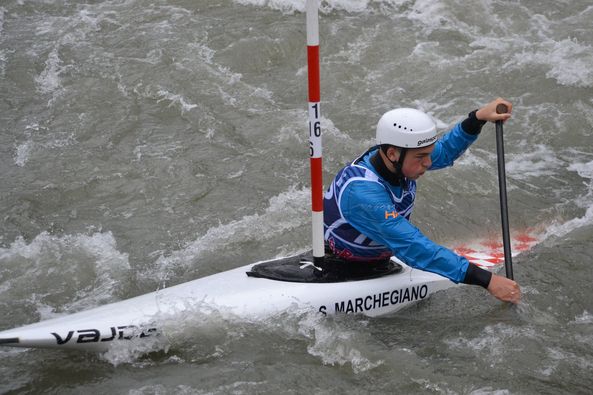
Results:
[201, 331]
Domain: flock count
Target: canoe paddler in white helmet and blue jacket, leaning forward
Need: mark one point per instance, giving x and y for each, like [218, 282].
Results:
[368, 205]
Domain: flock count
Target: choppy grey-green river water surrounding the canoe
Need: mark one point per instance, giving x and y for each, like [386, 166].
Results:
[145, 144]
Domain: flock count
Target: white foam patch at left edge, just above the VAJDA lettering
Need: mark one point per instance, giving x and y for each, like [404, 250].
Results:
[63, 274]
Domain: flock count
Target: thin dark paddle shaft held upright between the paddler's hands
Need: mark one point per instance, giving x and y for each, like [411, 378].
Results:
[502, 187]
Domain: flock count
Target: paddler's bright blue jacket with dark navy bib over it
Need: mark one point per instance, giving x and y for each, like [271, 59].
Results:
[366, 218]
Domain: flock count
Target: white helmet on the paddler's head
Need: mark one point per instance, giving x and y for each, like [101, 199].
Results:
[407, 128]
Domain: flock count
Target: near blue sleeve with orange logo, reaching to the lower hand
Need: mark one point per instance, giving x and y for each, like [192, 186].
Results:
[377, 220]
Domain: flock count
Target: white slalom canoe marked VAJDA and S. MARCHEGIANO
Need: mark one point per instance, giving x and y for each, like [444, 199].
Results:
[239, 295]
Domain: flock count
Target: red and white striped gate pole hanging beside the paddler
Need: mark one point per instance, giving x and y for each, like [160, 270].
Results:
[315, 129]
